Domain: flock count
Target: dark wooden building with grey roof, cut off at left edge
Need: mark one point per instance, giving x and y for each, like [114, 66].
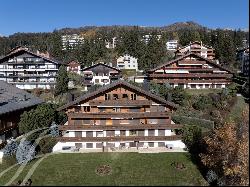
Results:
[13, 102]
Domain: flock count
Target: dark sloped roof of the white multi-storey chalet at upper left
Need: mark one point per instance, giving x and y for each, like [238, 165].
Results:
[23, 50]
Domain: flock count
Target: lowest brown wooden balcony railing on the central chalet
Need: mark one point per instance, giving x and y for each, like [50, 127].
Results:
[119, 138]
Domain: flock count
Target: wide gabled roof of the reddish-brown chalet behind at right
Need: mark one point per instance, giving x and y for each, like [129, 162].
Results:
[187, 55]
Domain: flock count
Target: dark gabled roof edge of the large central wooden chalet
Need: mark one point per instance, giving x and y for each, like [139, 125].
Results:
[88, 96]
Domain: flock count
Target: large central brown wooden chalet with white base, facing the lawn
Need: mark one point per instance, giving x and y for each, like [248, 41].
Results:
[119, 115]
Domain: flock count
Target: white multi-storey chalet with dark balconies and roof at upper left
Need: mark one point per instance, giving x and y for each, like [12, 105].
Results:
[28, 70]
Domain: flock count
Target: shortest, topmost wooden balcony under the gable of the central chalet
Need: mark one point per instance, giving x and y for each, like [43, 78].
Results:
[120, 103]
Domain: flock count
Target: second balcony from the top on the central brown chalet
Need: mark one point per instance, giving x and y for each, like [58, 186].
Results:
[105, 115]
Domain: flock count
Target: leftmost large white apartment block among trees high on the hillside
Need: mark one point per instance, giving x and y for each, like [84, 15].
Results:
[70, 41]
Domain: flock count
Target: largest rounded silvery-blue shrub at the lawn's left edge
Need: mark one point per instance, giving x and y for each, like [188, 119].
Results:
[25, 152]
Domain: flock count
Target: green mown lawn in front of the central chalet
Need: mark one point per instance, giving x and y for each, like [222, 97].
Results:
[127, 169]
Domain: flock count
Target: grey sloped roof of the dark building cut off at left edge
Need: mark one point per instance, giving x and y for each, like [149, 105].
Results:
[13, 98]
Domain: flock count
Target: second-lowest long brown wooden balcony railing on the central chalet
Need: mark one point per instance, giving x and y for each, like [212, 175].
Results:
[120, 127]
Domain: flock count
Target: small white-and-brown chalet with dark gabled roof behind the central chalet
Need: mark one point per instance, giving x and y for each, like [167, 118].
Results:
[100, 74]
